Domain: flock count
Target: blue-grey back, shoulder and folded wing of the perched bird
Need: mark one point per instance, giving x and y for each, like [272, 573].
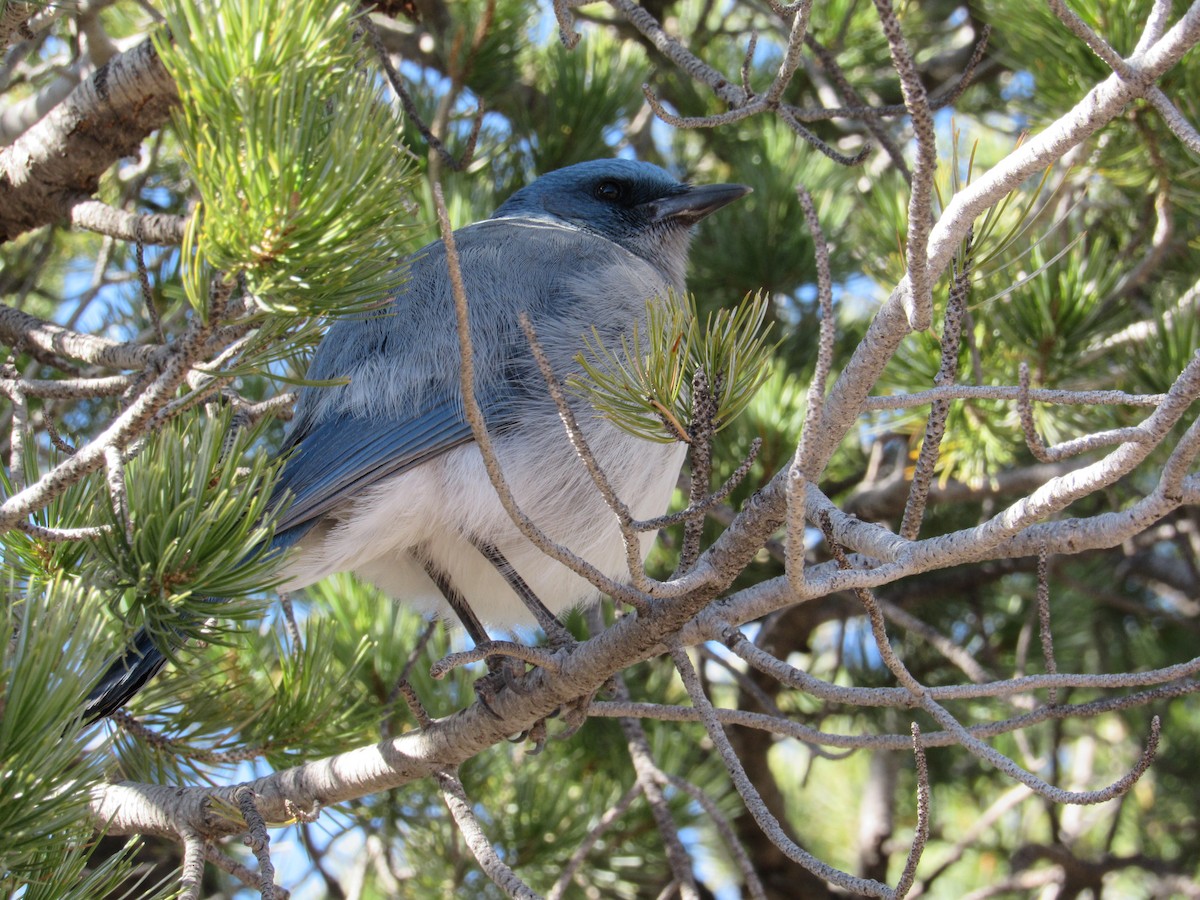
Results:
[506, 265]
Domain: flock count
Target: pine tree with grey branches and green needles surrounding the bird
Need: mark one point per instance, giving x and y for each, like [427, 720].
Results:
[970, 261]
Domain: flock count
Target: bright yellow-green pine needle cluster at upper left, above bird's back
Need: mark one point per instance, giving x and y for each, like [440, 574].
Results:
[304, 188]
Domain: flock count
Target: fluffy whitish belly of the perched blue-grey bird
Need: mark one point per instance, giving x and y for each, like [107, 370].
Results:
[434, 512]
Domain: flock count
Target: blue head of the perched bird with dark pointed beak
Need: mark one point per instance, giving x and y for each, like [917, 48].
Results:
[635, 205]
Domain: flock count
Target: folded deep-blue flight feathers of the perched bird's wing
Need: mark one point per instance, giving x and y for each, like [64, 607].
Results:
[347, 454]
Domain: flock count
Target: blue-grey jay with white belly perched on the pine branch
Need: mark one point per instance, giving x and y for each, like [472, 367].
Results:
[385, 477]
